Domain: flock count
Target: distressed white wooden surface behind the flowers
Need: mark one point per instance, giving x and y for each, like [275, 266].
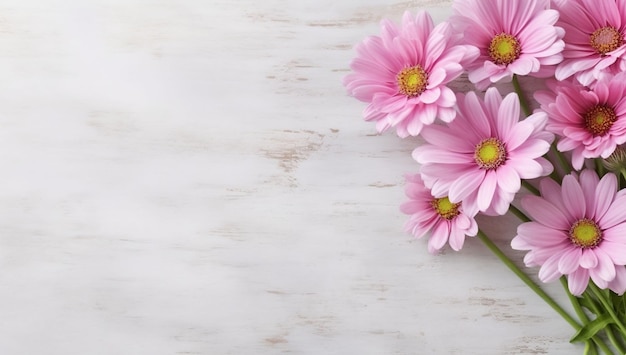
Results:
[189, 177]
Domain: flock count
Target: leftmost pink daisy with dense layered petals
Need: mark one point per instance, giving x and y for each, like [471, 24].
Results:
[403, 74]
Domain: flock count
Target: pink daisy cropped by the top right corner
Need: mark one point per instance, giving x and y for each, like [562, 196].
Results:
[594, 38]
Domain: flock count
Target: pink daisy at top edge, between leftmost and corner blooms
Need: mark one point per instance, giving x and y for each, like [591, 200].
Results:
[514, 37]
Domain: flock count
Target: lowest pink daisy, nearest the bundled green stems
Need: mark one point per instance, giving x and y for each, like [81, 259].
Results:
[578, 230]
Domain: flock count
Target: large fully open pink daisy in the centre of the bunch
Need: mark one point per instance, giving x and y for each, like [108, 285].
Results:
[481, 157]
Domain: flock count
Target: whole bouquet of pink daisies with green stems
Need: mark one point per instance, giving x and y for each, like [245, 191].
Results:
[564, 159]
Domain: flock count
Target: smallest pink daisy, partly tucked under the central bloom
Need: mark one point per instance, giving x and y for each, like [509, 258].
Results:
[447, 221]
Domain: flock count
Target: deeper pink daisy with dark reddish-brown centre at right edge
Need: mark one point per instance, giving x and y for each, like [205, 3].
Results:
[591, 123]
